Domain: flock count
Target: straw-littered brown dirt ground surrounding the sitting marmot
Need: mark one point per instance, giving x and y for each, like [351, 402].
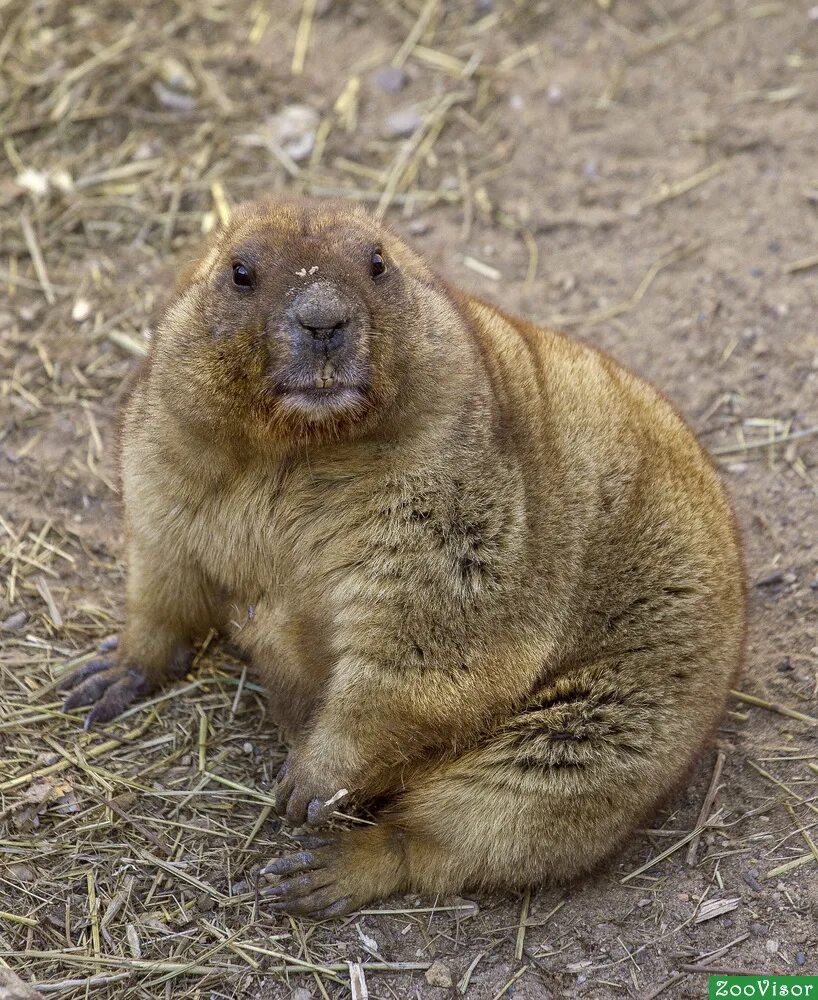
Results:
[643, 174]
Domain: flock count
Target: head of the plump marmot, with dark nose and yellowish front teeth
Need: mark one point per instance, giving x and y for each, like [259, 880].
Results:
[304, 320]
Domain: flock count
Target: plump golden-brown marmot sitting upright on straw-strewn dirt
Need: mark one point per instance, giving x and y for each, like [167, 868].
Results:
[489, 577]
